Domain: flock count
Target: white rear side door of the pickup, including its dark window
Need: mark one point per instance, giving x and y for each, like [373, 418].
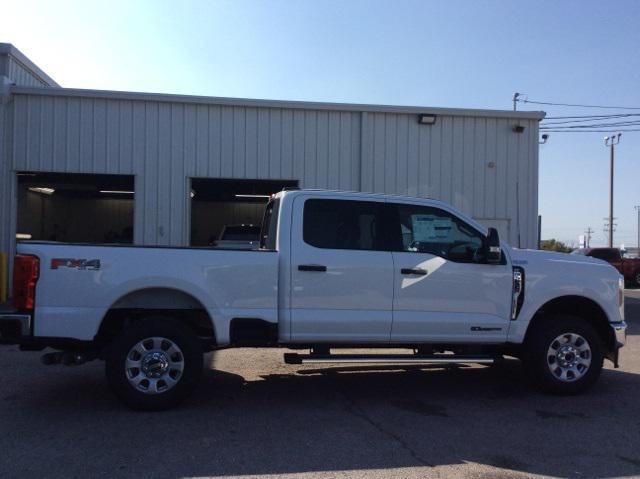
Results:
[341, 271]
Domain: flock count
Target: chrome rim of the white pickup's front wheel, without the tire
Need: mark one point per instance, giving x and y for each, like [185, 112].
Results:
[569, 357]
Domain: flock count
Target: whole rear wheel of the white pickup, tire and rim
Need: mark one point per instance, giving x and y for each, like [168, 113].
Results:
[154, 364]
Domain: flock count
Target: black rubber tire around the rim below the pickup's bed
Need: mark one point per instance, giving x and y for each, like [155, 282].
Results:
[189, 356]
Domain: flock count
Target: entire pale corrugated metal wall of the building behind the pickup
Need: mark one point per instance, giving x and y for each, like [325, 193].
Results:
[473, 162]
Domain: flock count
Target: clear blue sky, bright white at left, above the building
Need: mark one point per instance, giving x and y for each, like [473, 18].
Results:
[469, 54]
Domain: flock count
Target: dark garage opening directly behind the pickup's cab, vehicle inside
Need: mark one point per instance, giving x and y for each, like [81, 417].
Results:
[220, 203]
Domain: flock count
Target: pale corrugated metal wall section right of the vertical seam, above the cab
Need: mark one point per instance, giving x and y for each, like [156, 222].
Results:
[477, 164]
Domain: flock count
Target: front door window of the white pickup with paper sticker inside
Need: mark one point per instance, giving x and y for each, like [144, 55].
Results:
[424, 229]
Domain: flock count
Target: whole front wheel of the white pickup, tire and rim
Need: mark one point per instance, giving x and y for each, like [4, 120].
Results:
[563, 355]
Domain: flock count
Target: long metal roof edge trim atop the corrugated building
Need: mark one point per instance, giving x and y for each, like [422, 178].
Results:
[166, 97]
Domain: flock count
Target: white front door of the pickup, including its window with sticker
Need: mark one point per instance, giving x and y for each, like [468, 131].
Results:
[444, 291]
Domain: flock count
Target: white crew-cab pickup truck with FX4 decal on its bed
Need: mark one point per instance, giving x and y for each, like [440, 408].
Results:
[334, 270]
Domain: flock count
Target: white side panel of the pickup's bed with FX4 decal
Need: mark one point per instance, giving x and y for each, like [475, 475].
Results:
[79, 283]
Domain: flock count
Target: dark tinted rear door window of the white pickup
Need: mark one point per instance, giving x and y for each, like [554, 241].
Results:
[343, 224]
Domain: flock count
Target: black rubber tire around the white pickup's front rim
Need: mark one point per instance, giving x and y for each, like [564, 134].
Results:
[539, 364]
